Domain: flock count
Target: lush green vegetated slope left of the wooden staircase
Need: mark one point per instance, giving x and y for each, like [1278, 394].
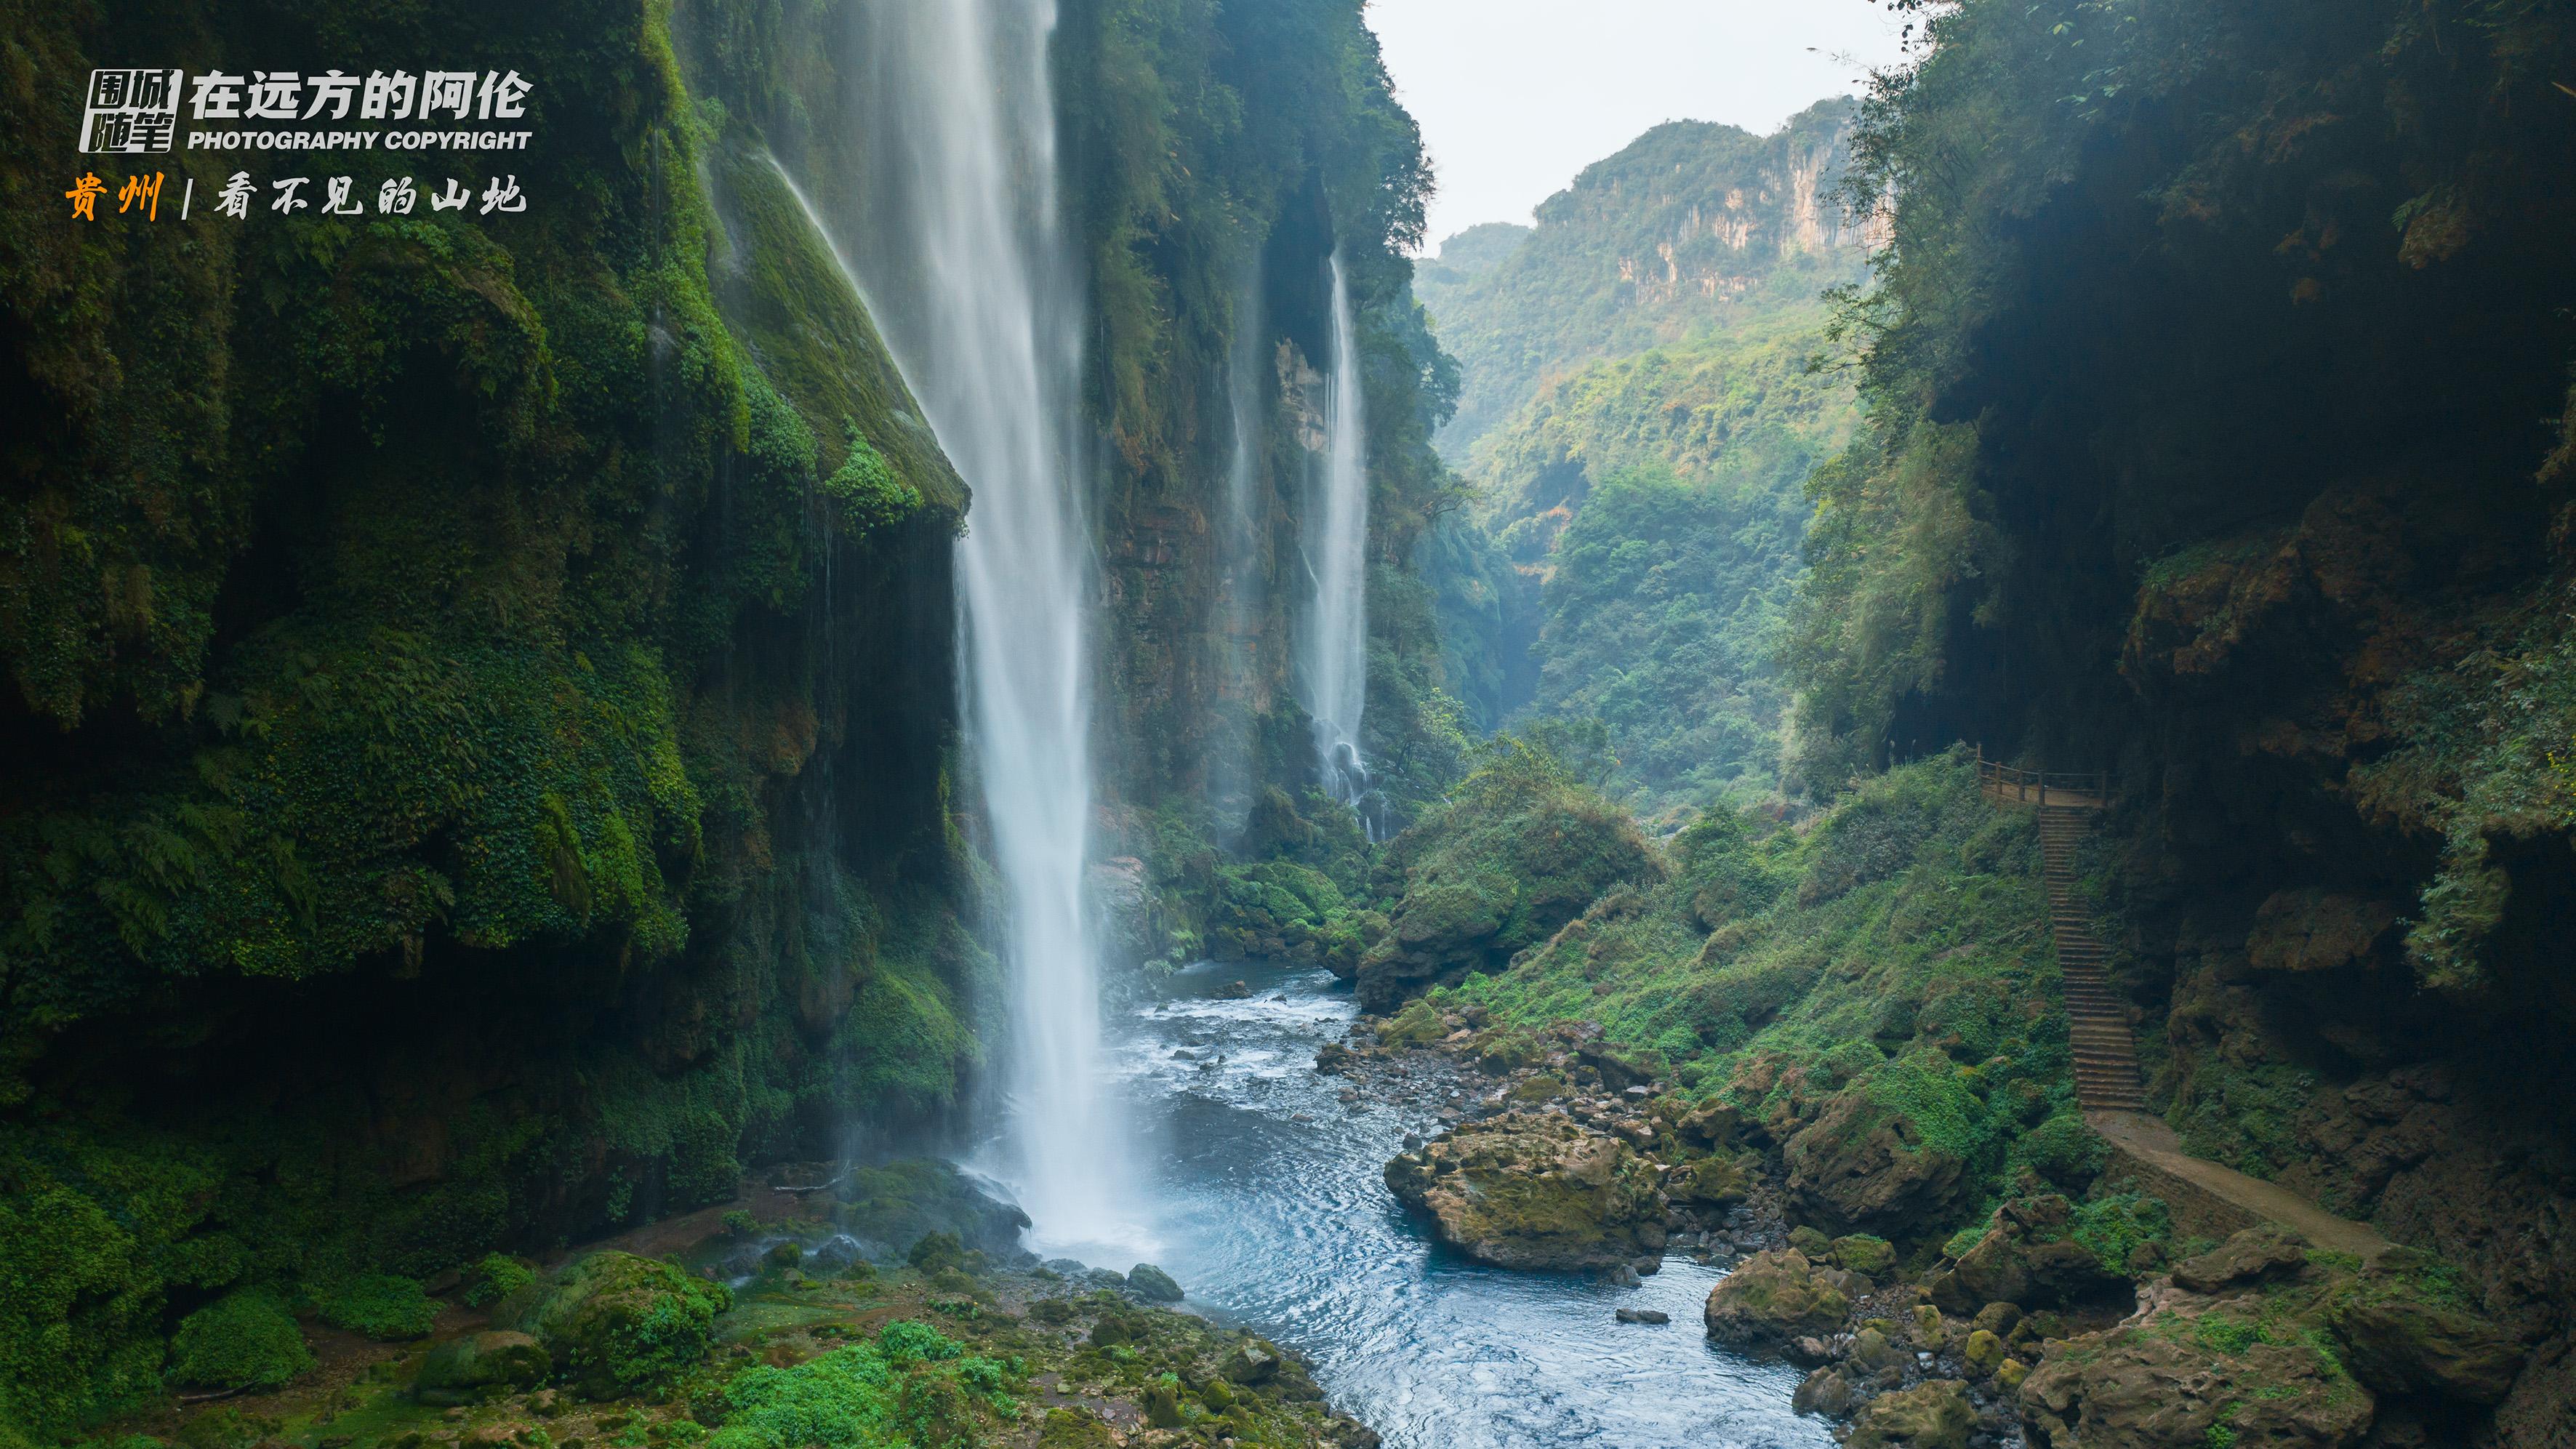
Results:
[1882, 969]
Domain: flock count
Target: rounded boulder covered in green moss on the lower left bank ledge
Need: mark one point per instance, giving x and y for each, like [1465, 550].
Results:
[617, 1324]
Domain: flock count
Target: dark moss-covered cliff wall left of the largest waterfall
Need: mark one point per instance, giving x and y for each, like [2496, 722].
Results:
[434, 802]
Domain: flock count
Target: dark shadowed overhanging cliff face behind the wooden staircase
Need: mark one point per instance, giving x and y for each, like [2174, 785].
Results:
[2214, 444]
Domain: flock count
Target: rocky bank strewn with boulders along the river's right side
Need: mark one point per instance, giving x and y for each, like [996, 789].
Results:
[2039, 1327]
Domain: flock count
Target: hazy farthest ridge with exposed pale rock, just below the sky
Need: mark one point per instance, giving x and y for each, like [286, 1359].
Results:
[1689, 230]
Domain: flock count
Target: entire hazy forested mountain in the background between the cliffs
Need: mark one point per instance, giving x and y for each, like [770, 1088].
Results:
[1650, 349]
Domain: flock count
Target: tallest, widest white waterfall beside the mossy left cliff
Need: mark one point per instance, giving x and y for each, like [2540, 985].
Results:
[965, 261]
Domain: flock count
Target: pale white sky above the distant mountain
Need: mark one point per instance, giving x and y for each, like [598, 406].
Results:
[1516, 97]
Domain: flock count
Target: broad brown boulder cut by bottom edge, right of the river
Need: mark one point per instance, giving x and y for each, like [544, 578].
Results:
[2191, 1381]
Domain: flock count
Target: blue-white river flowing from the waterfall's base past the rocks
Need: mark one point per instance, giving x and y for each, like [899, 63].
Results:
[1274, 1216]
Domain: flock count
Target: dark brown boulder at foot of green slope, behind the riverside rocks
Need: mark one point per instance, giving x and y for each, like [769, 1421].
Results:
[1864, 1167]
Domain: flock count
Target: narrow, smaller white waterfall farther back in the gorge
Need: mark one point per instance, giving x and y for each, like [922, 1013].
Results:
[1336, 647]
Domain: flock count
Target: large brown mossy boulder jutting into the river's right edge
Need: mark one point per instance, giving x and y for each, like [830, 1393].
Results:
[1534, 1190]
